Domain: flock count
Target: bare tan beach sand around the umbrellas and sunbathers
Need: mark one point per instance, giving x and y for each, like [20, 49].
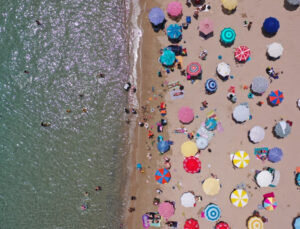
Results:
[152, 90]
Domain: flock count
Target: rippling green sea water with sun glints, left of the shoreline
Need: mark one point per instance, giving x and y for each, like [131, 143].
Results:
[44, 171]
